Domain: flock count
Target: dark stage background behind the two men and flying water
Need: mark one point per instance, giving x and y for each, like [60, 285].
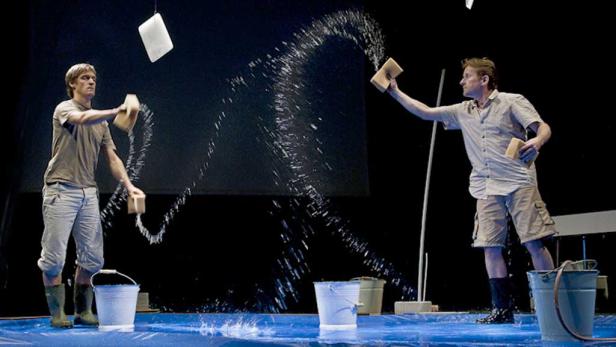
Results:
[225, 242]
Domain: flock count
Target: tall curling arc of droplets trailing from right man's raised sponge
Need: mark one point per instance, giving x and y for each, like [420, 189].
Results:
[286, 87]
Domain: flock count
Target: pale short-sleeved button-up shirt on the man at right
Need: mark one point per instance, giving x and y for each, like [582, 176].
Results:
[487, 133]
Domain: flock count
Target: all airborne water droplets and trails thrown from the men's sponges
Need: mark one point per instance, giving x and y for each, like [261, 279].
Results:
[285, 142]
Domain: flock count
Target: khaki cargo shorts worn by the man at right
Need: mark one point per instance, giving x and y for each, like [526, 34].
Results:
[528, 212]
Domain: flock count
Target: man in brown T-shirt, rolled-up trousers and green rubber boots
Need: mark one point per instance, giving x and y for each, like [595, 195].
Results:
[70, 194]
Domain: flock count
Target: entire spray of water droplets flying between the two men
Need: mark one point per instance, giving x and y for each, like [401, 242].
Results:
[294, 147]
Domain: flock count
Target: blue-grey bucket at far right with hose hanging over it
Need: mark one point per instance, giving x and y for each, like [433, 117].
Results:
[576, 301]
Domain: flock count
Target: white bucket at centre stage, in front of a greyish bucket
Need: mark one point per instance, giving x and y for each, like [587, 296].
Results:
[337, 304]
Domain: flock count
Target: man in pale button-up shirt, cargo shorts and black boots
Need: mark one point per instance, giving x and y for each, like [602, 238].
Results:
[501, 185]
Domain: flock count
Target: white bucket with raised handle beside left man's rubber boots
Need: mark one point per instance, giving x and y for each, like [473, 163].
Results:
[116, 304]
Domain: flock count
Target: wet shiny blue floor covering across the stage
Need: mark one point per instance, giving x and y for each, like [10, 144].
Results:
[238, 329]
